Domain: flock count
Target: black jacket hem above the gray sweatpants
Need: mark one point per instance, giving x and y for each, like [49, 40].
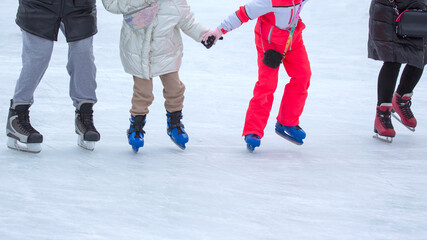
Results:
[43, 18]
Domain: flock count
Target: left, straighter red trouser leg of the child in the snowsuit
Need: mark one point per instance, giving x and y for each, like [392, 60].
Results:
[262, 100]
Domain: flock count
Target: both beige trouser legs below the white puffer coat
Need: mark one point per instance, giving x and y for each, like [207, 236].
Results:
[173, 92]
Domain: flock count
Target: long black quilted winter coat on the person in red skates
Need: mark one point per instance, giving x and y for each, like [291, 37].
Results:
[384, 44]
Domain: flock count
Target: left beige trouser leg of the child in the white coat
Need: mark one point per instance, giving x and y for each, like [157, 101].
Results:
[142, 96]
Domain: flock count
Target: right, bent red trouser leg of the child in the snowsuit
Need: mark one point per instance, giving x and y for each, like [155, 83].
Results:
[297, 66]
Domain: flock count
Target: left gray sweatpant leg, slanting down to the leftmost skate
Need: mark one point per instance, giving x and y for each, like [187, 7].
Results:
[36, 54]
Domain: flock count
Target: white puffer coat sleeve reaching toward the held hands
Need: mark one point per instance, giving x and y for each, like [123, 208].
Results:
[188, 23]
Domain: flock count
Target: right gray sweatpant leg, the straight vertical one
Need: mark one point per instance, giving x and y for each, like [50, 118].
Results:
[82, 70]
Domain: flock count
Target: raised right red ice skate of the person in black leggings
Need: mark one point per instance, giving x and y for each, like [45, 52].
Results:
[402, 106]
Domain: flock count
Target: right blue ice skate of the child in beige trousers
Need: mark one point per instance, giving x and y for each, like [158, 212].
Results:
[176, 129]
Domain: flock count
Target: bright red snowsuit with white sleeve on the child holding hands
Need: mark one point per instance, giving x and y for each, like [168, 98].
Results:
[272, 34]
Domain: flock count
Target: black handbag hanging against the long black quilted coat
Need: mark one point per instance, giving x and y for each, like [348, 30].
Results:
[412, 23]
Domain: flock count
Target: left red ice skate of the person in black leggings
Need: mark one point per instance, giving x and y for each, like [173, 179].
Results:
[383, 128]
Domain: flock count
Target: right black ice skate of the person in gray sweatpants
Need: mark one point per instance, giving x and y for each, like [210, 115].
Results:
[86, 131]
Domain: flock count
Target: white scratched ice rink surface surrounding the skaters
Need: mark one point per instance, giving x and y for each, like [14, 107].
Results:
[341, 184]
